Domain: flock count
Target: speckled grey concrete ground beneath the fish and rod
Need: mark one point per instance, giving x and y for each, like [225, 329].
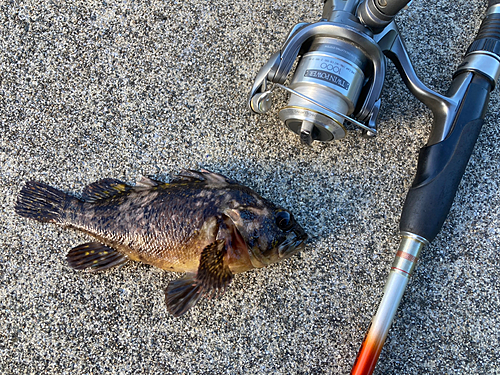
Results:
[120, 89]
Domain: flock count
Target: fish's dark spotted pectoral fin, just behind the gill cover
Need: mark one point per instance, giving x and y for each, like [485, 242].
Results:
[213, 273]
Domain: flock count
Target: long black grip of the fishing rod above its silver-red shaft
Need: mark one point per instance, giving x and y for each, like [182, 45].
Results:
[442, 165]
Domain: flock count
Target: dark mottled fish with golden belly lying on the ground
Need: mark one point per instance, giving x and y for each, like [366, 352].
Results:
[200, 223]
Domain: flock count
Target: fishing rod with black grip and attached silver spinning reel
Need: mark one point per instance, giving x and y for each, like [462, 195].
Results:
[337, 84]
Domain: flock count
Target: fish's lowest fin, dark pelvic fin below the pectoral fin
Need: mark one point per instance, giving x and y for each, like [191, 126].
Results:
[182, 294]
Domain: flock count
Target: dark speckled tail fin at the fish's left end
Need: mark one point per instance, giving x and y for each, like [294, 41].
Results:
[41, 202]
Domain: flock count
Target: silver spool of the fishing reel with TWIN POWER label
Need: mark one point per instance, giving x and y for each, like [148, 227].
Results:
[332, 72]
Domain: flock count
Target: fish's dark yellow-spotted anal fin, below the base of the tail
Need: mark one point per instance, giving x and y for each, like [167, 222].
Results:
[94, 256]
